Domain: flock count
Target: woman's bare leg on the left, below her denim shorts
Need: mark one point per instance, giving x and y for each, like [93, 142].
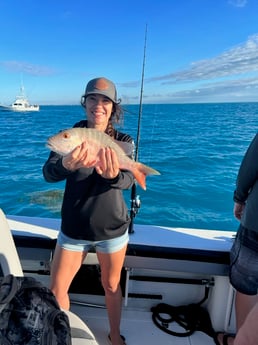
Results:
[64, 267]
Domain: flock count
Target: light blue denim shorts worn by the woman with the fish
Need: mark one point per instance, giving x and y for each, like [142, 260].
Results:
[106, 246]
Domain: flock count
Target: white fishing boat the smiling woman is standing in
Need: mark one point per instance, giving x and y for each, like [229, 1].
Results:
[163, 266]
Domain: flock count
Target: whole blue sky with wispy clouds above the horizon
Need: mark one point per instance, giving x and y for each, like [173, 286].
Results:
[197, 50]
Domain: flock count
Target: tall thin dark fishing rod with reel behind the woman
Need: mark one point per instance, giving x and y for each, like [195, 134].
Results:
[135, 199]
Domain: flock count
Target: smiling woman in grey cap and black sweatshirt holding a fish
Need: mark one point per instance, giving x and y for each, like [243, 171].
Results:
[94, 213]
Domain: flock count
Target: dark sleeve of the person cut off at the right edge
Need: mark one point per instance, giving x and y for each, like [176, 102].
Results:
[248, 173]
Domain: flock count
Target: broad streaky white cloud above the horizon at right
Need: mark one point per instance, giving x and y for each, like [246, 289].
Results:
[232, 75]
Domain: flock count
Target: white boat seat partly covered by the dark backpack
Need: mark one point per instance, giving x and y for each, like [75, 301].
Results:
[10, 264]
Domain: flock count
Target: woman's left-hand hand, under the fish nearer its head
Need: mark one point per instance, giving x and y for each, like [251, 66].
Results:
[78, 158]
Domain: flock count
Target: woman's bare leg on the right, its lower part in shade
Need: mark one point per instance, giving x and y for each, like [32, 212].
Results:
[111, 265]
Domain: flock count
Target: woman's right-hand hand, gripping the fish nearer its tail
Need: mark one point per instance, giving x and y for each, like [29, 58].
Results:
[108, 166]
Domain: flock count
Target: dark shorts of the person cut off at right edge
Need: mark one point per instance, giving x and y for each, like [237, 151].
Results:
[243, 272]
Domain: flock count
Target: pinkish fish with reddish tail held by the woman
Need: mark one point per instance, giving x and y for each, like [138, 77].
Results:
[67, 140]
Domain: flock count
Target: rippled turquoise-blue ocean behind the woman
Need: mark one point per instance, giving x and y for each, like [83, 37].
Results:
[197, 148]
